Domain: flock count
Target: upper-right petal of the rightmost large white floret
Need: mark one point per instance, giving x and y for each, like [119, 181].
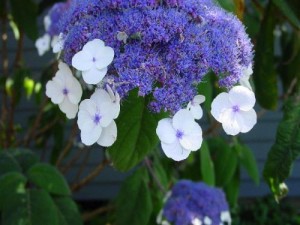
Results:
[242, 97]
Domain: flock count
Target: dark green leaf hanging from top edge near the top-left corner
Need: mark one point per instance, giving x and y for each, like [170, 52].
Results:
[24, 13]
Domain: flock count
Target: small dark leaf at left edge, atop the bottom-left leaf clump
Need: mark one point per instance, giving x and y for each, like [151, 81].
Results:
[8, 163]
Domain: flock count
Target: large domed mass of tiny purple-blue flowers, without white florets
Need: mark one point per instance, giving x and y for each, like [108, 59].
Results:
[171, 45]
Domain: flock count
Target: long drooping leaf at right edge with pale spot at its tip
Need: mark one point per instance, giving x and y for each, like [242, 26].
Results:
[286, 148]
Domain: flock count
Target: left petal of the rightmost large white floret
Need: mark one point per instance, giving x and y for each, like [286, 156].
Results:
[219, 105]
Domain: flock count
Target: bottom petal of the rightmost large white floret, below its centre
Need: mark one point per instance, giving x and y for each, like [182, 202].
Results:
[230, 123]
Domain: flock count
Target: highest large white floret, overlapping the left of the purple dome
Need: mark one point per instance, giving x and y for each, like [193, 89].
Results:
[93, 60]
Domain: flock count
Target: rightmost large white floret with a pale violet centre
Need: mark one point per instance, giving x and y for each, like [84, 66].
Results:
[235, 110]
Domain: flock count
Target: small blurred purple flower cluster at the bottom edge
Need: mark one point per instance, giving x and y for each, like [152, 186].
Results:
[190, 201]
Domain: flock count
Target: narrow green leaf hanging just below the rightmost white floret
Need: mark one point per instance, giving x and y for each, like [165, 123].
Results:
[247, 160]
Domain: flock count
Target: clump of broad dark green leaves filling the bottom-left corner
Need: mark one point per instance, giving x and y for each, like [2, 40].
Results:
[33, 193]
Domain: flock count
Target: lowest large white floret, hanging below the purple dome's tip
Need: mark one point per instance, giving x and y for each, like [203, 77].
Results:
[180, 135]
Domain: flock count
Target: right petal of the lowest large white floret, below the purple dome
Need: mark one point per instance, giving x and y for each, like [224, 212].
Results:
[192, 139]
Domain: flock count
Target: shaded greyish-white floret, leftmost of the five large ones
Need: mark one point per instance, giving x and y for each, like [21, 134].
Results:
[65, 90]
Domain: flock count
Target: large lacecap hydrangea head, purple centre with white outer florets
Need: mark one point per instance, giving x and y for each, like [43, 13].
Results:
[163, 48]
